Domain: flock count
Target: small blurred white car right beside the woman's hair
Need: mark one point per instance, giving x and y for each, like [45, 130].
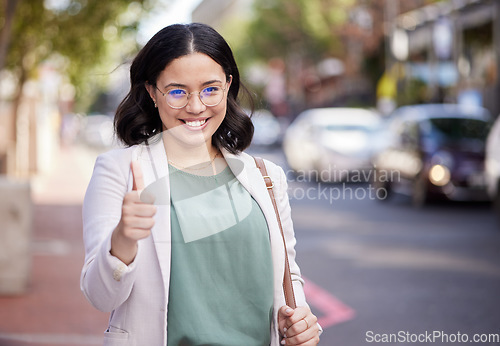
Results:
[267, 129]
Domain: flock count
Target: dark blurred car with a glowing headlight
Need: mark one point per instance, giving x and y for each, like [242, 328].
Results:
[435, 150]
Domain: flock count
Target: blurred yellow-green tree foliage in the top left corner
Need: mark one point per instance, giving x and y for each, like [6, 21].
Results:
[75, 34]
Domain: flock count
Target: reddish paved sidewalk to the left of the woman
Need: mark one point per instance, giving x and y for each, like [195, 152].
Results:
[54, 310]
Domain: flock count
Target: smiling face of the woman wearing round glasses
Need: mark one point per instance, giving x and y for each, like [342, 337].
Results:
[194, 124]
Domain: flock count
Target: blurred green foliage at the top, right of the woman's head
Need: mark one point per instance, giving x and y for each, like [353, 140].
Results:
[309, 27]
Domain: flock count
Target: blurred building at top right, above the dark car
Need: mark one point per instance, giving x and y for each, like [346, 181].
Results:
[452, 48]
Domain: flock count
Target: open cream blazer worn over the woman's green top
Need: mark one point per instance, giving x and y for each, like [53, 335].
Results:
[137, 294]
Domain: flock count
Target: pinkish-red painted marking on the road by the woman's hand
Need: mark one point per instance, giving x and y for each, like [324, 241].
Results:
[334, 311]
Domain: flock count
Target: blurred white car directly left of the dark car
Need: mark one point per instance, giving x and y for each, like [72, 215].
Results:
[331, 143]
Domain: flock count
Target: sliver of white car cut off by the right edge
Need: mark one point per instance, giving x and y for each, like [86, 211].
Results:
[493, 165]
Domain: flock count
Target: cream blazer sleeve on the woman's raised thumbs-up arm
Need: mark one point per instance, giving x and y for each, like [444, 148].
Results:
[105, 281]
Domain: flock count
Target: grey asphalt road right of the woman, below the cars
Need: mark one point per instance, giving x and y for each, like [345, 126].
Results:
[386, 273]
